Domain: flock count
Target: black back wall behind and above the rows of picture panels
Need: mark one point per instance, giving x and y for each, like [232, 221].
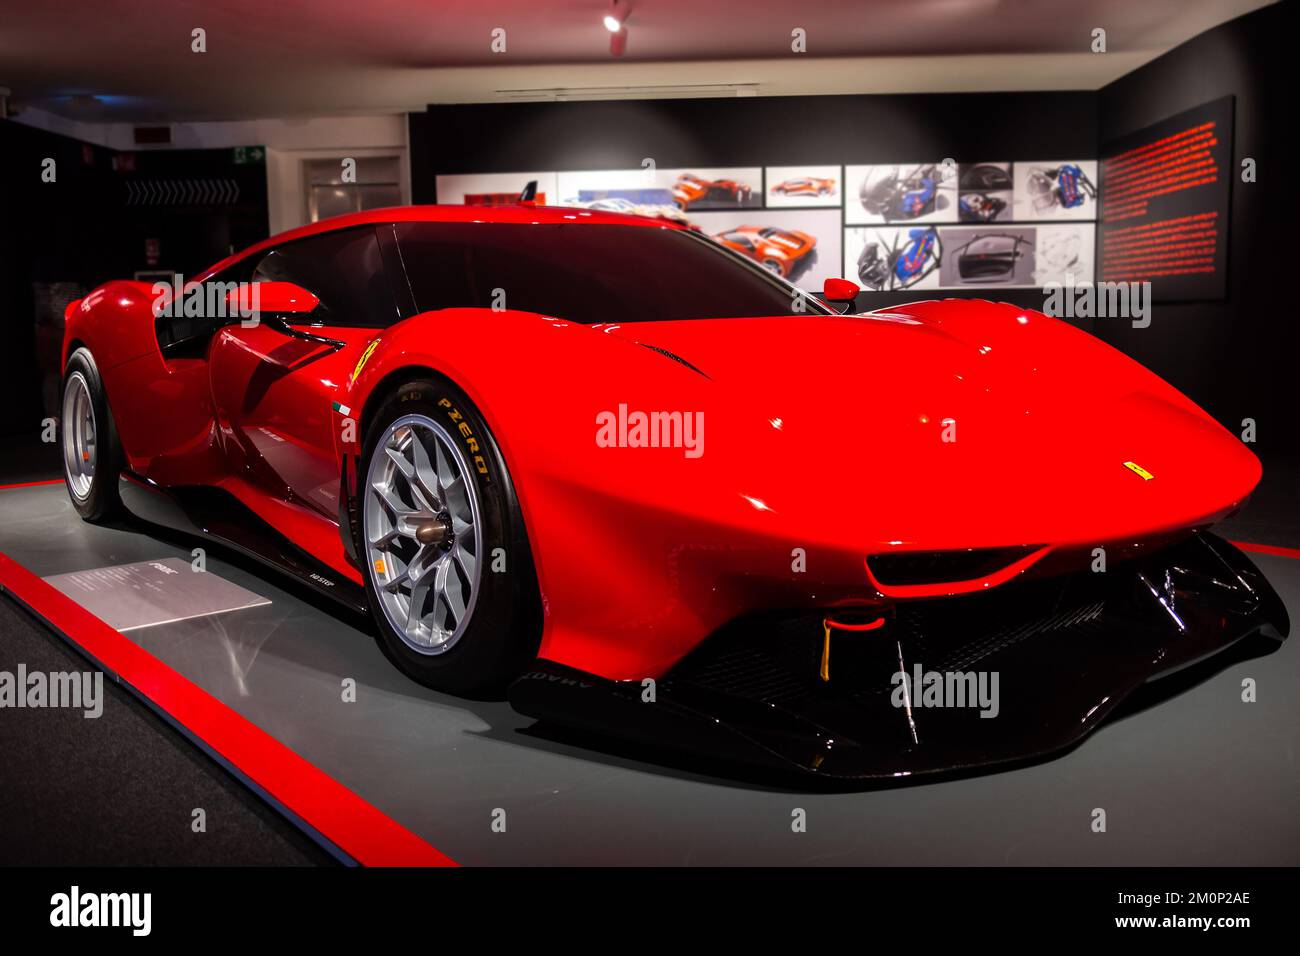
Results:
[755, 132]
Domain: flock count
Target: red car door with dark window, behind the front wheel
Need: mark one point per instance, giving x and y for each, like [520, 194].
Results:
[274, 393]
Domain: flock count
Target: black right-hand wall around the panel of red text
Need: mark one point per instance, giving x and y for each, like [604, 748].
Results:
[1238, 357]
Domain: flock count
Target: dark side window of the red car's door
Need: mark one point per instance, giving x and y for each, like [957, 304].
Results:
[344, 270]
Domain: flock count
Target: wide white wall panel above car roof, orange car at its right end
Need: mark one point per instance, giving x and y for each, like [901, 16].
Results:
[691, 191]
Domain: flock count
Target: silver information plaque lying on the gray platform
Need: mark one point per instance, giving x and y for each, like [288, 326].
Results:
[149, 594]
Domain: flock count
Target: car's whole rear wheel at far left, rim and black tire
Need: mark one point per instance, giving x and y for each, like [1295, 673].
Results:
[93, 456]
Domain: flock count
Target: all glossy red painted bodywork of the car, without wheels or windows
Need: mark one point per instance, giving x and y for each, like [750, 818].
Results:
[937, 426]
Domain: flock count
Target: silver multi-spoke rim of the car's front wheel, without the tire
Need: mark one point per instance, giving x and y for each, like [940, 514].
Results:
[423, 537]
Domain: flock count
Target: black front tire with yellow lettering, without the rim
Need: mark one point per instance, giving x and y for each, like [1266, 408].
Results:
[504, 631]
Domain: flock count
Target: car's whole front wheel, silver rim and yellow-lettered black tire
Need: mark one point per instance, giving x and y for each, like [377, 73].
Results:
[449, 573]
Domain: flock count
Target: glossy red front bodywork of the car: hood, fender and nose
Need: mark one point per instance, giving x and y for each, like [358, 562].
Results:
[829, 439]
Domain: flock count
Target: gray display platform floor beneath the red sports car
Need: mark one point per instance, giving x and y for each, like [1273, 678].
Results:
[1202, 778]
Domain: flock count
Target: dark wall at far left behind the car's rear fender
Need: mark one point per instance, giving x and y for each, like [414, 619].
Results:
[90, 226]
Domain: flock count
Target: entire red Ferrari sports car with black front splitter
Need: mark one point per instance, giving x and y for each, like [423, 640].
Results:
[619, 469]
